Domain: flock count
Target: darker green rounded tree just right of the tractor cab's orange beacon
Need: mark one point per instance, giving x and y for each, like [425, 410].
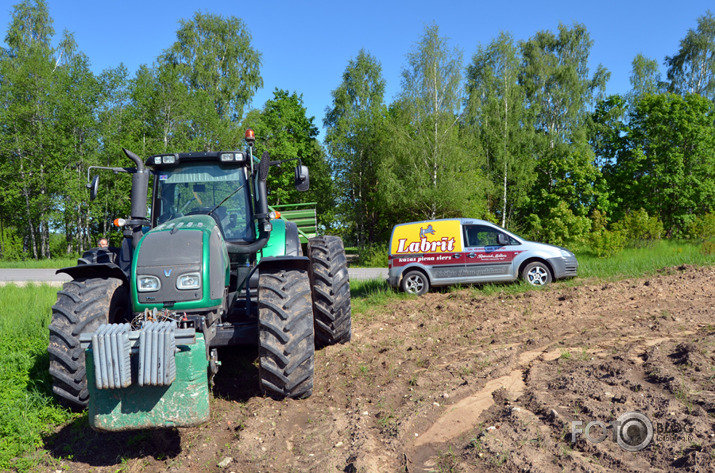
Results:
[283, 129]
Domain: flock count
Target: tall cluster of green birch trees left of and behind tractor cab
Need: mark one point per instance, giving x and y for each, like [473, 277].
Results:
[57, 119]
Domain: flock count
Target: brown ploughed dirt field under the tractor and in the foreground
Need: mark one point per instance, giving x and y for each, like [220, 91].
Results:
[464, 382]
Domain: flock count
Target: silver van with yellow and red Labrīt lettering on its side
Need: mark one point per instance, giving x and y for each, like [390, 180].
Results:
[453, 251]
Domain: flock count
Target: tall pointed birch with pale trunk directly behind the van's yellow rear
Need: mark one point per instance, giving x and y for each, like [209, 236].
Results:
[428, 172]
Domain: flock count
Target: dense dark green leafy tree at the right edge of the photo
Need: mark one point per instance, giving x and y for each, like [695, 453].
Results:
[667, 166]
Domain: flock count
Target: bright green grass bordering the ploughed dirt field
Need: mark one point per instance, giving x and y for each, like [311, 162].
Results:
[28, 412]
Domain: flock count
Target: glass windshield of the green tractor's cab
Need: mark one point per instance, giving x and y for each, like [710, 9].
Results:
[191, 190]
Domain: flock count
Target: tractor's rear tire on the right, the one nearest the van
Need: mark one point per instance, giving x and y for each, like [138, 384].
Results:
[331, 291]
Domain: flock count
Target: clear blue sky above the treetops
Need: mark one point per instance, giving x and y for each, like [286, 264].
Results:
[306, 45]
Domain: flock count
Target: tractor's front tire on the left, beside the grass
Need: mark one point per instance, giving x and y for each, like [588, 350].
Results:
[82, 306]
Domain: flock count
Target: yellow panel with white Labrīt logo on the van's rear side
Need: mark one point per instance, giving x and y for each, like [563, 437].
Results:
[427, 237]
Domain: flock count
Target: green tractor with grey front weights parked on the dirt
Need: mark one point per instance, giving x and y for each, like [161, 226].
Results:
[210, 268]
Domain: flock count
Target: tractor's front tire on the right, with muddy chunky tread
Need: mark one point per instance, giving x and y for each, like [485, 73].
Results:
[286, 349]
